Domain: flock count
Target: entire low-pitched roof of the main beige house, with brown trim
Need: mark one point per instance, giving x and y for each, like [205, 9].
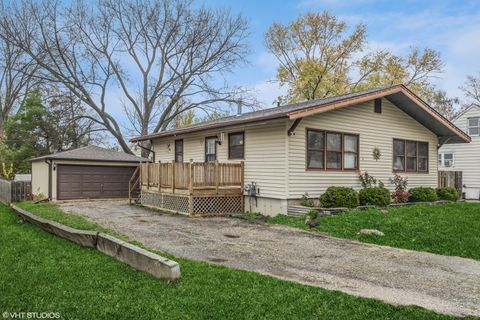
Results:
[399, 95]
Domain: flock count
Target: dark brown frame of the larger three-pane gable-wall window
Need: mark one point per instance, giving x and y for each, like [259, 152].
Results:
[325, 150]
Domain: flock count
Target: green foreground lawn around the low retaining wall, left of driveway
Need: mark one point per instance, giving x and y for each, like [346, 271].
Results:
[41, 272]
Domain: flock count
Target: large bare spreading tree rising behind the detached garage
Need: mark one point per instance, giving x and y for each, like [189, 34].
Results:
[165, 56]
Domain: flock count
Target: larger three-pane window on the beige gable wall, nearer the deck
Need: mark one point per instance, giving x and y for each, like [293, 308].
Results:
[332, 150]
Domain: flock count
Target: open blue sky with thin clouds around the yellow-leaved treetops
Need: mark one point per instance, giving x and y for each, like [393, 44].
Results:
[450, 27]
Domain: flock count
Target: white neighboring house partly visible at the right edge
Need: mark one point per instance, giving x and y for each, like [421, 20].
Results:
[465, 157]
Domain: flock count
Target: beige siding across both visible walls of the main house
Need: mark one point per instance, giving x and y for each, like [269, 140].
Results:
[277, 162]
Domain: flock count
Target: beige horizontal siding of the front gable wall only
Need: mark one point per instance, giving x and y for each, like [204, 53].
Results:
[375, 130]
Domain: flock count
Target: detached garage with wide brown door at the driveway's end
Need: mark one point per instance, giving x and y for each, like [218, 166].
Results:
[86, 173]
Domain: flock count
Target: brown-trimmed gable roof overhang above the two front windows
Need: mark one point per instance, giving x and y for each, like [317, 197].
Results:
[406, 101]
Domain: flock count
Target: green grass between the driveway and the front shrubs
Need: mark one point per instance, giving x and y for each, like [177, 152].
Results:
[451, 229]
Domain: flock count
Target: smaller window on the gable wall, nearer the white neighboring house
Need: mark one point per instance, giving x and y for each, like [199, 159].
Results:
[410, 156]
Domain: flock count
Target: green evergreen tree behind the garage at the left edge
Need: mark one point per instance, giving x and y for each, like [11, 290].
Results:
[36, 130]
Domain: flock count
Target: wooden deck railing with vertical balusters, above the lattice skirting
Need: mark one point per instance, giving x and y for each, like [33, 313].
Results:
[192, 176]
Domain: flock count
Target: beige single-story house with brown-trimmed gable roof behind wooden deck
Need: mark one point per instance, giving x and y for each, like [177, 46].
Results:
[310, 146]
